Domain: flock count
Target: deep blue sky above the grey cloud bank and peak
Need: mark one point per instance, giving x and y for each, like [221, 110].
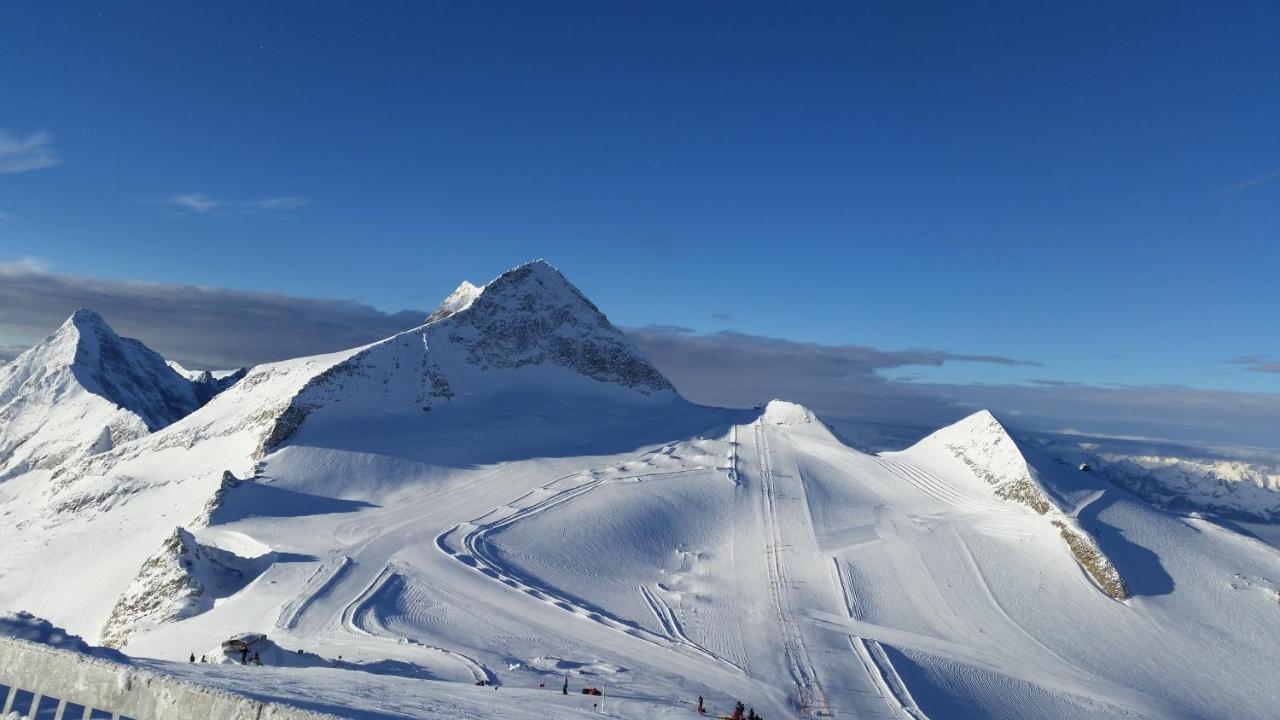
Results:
[1095, 186]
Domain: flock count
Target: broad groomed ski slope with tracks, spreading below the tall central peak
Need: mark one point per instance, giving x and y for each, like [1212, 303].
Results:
[678, 552]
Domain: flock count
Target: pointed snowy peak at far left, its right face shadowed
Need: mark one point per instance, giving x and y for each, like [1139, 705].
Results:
[85, 390]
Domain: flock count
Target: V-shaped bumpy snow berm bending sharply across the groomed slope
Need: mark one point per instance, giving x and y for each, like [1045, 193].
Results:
[474, 554]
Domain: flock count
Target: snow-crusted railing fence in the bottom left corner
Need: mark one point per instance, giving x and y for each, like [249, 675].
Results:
[58, 678]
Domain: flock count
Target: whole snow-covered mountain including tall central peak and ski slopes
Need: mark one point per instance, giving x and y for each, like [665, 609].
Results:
[513, 495]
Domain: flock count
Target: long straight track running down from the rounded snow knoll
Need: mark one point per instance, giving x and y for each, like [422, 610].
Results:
[798, 655]
